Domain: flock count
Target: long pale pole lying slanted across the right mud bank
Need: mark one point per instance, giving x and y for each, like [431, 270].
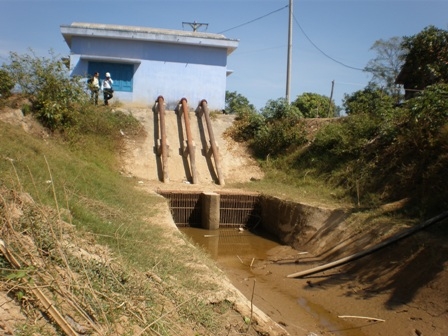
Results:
[358, 255]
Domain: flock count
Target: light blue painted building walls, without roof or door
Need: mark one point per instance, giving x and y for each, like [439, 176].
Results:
[171, 70]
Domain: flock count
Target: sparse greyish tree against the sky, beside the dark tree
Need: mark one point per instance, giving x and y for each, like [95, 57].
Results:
[387, 64]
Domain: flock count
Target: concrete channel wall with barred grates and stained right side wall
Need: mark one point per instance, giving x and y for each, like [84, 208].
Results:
[293, 224]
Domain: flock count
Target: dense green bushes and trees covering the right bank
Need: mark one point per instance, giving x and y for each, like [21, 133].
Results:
[381, 152]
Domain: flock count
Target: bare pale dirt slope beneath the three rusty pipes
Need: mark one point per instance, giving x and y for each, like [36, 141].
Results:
[142, 161]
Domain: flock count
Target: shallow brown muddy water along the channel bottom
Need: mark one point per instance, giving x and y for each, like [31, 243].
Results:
[258, 265]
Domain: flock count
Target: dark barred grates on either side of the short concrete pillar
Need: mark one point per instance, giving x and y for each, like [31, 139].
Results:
[235, 210]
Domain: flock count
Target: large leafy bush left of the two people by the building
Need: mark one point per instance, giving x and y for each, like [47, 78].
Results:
[47, 84]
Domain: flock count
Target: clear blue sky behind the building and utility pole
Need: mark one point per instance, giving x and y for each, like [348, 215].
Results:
[326, 33]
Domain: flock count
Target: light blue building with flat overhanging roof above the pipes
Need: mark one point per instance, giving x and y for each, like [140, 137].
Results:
[145, 63]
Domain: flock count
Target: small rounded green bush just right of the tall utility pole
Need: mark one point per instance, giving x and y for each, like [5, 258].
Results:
[313, 105]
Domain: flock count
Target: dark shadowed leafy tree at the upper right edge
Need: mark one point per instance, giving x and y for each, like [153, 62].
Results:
[426, 62]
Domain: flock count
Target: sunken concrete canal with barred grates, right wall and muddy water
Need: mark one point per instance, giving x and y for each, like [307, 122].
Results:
[257, 245]
